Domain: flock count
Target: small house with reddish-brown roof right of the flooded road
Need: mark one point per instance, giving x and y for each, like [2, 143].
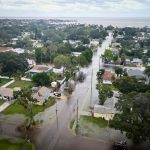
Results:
[107, 77]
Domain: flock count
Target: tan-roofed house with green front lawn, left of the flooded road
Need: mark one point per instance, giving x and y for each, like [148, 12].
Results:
[41, 94]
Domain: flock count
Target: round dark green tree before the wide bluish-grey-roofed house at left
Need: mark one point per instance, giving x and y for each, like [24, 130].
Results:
[41, 79]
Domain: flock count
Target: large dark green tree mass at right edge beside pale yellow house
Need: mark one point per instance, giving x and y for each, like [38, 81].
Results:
[133, 116]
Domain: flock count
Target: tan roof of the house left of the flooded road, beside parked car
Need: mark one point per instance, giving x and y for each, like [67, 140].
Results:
[42, 94]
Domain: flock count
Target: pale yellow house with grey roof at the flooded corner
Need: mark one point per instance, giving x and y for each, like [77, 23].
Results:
[103, 112]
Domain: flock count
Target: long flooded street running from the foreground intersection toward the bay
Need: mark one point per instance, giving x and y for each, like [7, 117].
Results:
[57, 135]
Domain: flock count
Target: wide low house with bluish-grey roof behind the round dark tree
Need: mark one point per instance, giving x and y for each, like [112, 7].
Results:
[40, 68]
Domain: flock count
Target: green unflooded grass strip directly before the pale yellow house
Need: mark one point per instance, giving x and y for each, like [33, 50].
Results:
[96, 121]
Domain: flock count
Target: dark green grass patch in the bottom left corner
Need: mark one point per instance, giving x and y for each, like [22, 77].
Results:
[6, 144]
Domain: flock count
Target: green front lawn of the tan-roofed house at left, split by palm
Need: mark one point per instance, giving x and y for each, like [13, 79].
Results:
[17, 108]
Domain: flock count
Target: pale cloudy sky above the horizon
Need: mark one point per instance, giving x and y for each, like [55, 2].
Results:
[75, 8]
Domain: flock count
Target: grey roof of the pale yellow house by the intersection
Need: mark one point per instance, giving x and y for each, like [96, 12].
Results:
[103, 110]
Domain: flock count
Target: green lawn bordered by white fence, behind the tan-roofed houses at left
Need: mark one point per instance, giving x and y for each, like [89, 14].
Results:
[22, 84]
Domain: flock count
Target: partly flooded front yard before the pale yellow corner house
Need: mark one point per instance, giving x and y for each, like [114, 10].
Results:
[97, 128]
